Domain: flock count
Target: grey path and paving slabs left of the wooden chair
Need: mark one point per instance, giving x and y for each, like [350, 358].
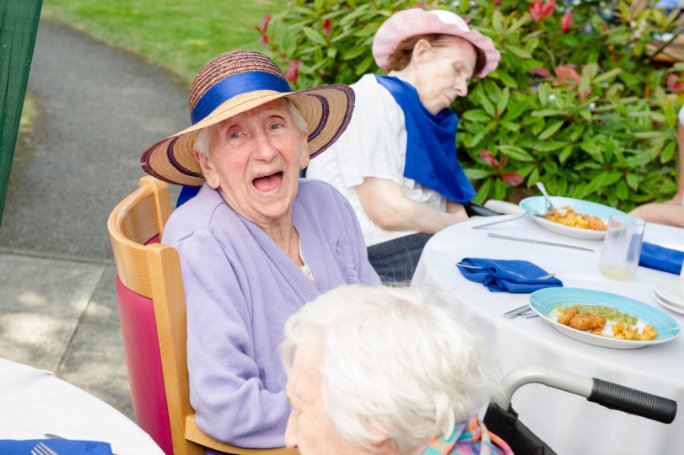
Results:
[98, 108]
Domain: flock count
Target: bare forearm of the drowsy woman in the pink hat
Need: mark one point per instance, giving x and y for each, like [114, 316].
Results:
[385, 203]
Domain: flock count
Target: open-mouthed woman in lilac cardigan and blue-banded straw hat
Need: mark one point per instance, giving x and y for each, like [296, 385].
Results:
[256, 243]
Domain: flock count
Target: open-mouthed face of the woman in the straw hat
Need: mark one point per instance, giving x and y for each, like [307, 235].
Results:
[255, 159]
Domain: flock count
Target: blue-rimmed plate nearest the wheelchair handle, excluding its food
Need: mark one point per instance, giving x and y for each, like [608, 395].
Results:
[547, 303]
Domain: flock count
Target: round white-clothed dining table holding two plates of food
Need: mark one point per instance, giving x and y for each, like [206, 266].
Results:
[568, 423]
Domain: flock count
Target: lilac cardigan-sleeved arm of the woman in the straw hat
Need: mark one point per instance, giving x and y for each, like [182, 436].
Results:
[231, 401]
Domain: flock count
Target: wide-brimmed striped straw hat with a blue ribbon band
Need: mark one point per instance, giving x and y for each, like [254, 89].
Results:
[235, 82]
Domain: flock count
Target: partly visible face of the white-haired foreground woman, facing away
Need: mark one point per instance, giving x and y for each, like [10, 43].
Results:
[308, 429]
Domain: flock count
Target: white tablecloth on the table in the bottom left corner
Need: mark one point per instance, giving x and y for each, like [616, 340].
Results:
[34, 402]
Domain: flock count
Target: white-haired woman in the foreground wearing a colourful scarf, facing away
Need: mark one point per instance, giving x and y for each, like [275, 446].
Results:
[380, 370]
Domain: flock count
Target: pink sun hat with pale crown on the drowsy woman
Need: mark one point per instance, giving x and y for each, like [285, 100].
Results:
[415, 21]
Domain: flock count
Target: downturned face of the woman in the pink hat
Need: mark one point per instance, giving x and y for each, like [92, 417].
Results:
[443, 71]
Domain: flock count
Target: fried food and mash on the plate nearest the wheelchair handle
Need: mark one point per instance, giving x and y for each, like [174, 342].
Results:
[596, 318]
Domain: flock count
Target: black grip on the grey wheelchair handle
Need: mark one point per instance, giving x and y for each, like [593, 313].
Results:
[632, 401]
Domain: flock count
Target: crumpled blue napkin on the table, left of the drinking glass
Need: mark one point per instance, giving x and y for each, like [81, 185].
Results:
[501, 275]
